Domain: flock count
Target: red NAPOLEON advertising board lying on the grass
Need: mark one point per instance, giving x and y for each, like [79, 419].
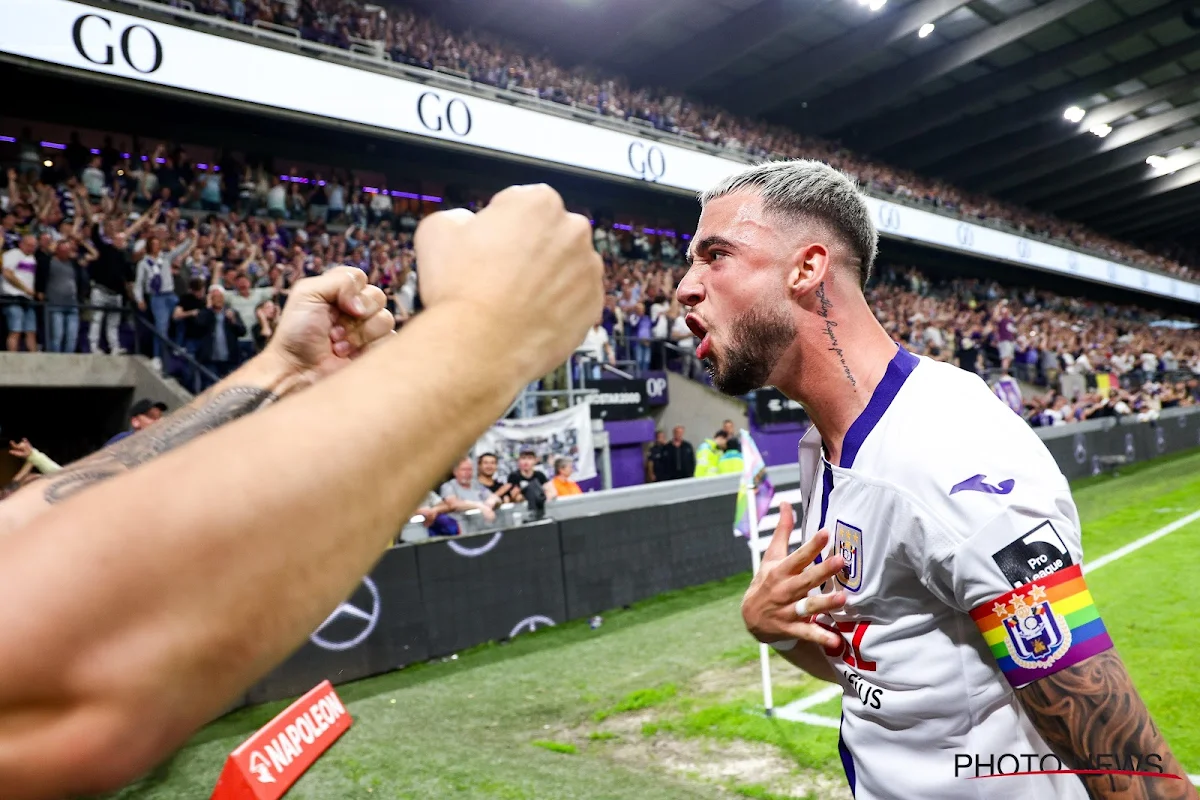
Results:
[267, 765]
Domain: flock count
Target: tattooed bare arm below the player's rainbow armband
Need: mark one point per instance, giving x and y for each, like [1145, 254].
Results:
[1093, 719]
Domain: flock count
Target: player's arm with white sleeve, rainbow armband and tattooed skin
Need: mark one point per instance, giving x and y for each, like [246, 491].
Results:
[1019, 575]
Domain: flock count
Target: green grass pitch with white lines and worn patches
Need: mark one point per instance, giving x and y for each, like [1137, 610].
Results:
[659, 703]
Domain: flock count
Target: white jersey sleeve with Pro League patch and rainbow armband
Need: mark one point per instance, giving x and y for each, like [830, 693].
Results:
[1004, 545]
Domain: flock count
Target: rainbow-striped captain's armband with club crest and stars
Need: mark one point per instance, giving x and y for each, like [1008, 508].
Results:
[1045, 627]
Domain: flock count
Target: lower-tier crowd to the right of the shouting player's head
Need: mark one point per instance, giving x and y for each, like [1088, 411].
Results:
[1136, 364]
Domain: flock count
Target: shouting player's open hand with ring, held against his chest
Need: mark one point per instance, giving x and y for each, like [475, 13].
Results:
[770, 606]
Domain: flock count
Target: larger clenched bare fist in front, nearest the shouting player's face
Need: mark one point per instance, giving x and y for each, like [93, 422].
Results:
[525, 258]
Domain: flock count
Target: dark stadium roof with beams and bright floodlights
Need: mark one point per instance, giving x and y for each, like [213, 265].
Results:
[980, 100]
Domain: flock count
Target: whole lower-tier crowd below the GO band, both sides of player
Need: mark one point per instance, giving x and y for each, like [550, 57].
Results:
[208, 263]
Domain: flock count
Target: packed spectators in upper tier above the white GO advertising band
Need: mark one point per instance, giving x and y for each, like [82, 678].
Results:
[410, 38]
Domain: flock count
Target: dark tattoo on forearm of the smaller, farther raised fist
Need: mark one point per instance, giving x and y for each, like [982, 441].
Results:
[207, 414]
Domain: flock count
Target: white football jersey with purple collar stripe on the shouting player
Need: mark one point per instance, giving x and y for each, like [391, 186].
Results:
[963, 578]
